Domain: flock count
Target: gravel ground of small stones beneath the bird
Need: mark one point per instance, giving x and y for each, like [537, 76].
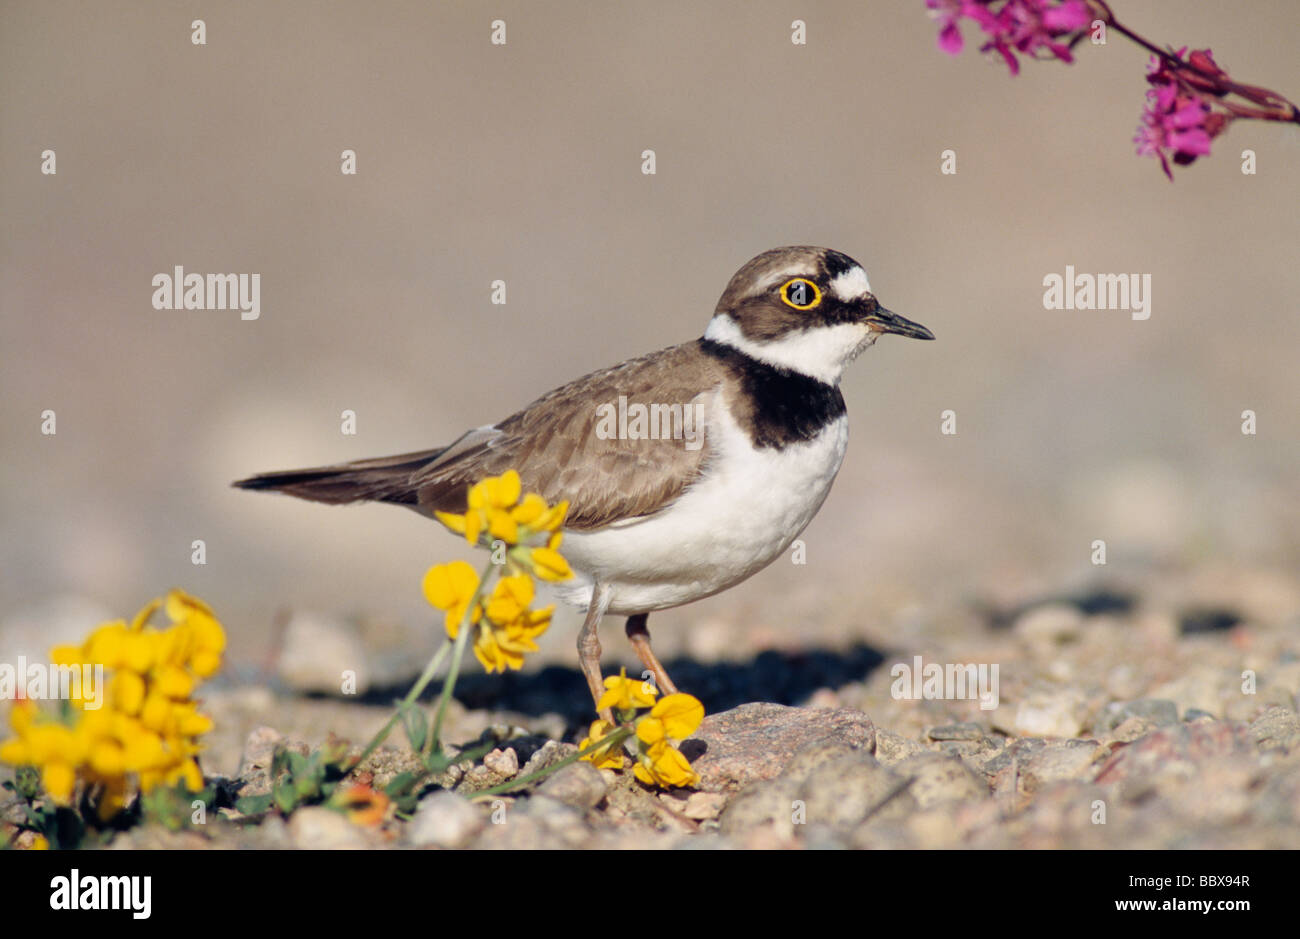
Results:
[1164, 719]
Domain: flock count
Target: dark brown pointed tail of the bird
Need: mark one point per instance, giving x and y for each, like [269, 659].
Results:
[387, 479]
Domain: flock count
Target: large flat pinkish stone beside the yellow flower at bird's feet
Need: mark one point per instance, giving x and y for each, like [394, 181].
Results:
[755, 742]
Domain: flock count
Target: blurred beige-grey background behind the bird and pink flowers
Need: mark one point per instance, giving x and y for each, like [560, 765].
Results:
[523, 163]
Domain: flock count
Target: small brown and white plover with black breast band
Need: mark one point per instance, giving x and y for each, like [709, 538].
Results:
[687, 470]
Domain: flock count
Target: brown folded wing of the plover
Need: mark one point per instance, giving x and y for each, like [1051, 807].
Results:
[566, 445]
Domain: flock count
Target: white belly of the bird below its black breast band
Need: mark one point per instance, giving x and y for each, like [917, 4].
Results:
[735, 521]
